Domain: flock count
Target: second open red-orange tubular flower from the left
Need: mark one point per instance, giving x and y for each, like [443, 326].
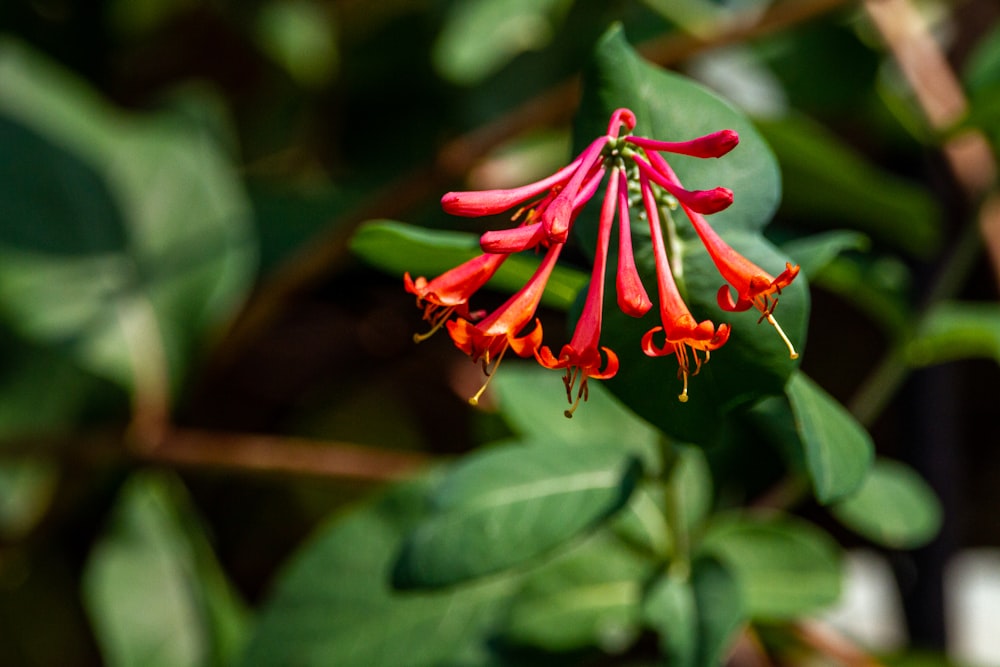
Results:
[489, 338]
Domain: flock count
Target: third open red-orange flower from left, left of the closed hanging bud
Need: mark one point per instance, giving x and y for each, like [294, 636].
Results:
[581, 357]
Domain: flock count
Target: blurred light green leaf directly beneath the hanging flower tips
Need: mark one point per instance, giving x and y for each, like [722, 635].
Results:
[531, 400]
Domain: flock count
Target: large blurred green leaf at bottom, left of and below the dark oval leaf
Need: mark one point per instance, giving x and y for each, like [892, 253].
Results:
[333, 603]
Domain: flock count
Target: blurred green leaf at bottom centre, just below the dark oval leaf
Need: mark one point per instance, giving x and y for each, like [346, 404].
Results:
[587, 596]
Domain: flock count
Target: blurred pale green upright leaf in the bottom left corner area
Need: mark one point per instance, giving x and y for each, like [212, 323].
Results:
[152, 586]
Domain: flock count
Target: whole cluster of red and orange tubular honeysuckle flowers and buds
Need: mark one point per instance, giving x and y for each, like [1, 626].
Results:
[545, 212]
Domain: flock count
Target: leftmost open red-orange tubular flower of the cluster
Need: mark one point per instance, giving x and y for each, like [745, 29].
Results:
[450, 292]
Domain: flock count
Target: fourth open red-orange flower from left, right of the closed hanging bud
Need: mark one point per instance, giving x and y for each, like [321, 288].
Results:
[680, 330]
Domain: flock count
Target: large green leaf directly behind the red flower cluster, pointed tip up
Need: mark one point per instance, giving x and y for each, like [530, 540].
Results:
[754, 362]
